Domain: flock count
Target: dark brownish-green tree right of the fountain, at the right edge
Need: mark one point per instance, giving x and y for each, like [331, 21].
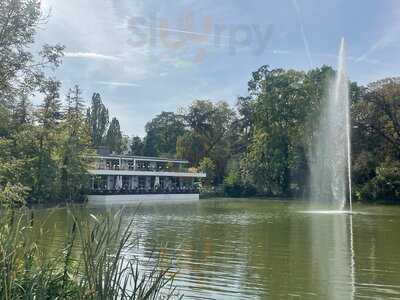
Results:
[376, 141]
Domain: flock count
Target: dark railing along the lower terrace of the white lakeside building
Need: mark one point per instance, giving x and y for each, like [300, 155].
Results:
[142, 191]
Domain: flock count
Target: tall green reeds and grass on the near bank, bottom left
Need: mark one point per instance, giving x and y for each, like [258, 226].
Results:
[92, 265]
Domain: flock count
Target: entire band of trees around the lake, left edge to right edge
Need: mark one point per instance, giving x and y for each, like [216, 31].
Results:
[260, 146]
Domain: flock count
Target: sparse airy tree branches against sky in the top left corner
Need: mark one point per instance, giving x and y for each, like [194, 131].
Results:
[20, 73]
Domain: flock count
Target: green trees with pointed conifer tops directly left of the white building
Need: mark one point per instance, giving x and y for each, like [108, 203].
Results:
[48, 156]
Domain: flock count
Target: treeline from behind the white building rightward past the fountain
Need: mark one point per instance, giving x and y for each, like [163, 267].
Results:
[263, 144]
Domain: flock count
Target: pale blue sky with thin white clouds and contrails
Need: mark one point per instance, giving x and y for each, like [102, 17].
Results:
[149, 56]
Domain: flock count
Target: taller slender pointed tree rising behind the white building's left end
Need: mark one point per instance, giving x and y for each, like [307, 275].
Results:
[98, 120]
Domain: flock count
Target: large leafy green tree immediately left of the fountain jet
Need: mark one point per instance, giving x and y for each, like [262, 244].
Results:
[278, 119]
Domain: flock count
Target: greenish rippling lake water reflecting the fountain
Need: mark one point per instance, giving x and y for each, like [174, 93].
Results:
[265, 249]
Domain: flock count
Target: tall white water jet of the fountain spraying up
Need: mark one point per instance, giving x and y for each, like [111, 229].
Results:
[331, 152]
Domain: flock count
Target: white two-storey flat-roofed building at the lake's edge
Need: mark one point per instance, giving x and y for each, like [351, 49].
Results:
[133, 177]
